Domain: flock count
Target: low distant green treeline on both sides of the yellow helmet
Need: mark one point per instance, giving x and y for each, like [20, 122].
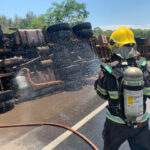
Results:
[137, 32]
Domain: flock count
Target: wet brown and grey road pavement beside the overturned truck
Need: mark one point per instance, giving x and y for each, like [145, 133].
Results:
[66, 108]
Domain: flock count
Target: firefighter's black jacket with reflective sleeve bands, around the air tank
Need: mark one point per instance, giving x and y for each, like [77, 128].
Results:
[108, 87]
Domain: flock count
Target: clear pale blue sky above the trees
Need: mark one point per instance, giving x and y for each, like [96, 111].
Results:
[107, 14]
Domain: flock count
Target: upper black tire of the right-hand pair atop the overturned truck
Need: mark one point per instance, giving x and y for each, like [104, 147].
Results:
[81, 26]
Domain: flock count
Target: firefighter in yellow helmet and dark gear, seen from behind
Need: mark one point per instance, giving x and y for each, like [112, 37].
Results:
[125, 83]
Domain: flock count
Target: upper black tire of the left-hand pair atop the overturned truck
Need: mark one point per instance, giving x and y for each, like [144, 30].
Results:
[58, 27]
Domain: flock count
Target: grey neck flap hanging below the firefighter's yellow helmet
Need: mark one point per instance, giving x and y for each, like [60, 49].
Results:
[126, 52]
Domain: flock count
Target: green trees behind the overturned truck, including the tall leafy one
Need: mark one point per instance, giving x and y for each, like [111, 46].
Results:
[69, 11]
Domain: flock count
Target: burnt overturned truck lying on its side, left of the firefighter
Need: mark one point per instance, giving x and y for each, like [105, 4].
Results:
[35, 62]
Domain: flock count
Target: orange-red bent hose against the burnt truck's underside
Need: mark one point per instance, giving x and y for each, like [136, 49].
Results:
[39, 84]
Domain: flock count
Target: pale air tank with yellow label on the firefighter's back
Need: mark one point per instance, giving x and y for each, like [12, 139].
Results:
[133, 85]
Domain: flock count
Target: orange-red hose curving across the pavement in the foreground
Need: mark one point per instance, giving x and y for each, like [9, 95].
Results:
[53, 124]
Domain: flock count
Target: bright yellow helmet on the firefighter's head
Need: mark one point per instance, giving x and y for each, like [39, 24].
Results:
[120, 37]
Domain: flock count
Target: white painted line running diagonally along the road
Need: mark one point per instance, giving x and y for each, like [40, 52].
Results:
[66, 134]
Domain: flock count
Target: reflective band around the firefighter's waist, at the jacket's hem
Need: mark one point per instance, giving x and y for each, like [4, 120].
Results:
[120, 121]
